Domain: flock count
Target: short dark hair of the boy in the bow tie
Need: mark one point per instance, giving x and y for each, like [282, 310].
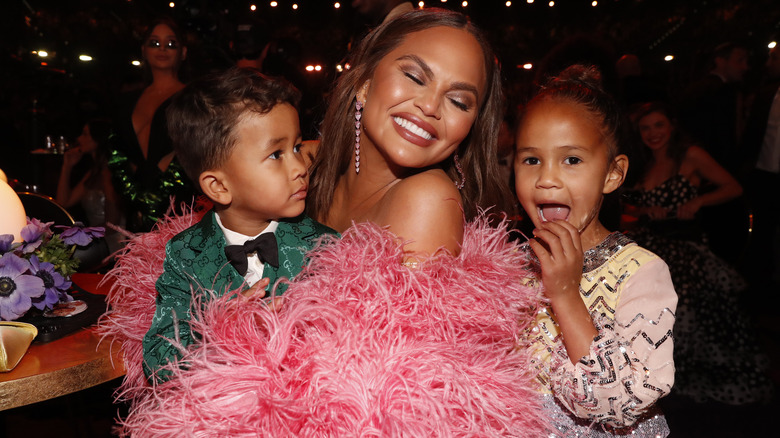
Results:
[203, 116]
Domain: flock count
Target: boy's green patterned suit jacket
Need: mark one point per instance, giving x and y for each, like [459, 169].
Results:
[195, 261]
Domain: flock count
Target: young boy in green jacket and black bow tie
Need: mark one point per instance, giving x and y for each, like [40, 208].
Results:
[237, 136]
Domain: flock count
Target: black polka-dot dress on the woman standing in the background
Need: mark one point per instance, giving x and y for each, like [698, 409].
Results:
[717, 355]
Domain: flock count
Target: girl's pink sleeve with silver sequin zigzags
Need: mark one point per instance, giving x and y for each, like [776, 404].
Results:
[630, 365]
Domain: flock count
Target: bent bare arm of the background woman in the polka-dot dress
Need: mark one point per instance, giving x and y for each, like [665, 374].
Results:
[702, 164]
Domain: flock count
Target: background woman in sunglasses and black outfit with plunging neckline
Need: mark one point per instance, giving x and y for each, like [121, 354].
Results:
[143, 161]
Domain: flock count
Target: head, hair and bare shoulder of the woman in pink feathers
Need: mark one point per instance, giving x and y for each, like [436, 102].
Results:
[418, 115]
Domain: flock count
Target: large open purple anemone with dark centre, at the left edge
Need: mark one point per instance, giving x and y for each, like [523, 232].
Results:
[17, 288]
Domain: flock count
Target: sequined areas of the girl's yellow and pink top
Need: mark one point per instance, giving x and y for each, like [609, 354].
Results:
[617, 363]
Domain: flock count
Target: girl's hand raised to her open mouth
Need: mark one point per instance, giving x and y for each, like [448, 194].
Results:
[559, 249]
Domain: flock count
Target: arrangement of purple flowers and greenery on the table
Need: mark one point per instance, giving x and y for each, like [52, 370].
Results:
[36, 272]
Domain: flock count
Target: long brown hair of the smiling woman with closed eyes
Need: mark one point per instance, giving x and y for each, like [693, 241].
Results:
[483, 187]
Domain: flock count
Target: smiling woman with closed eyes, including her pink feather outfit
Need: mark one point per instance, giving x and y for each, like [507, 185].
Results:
[410, 323]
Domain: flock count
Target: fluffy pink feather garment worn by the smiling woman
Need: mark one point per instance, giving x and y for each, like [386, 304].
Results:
[362, 346]
